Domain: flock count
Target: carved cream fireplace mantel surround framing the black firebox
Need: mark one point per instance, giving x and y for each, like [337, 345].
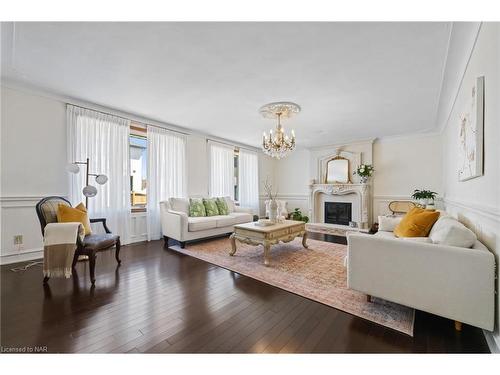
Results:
[361, 190]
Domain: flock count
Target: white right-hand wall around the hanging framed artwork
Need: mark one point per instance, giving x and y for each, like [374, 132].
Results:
[477, 202]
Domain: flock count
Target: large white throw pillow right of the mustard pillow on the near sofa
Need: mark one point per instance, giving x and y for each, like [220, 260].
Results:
[448, 231]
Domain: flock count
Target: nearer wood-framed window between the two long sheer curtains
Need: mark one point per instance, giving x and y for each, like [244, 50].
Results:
[138, 169]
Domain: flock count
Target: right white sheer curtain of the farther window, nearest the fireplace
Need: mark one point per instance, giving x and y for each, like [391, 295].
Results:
[249, 179]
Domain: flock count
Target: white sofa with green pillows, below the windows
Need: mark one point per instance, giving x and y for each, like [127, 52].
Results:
[177, 224]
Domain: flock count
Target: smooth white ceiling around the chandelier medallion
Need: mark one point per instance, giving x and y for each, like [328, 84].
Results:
[352, 80]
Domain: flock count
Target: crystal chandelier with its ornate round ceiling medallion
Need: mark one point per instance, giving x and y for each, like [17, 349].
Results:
[278, 144]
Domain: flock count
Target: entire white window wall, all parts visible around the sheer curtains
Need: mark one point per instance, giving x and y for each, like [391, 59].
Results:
[33, 161]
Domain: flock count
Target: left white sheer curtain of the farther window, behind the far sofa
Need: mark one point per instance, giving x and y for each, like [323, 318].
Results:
[221, 170]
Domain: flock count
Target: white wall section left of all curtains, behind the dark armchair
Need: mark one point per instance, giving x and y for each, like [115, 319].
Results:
[33, 161]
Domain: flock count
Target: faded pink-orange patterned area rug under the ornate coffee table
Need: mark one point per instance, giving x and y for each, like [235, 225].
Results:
[317, 273]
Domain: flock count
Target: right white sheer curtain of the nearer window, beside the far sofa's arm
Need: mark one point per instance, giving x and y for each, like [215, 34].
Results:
[166, 173]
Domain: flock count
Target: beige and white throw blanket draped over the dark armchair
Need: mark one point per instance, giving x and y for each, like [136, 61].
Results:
[60, 241]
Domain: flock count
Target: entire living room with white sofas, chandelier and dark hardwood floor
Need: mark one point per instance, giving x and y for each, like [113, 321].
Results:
[236, 187]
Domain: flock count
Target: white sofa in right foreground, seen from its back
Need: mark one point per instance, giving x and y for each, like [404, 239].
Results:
[454, 282]
